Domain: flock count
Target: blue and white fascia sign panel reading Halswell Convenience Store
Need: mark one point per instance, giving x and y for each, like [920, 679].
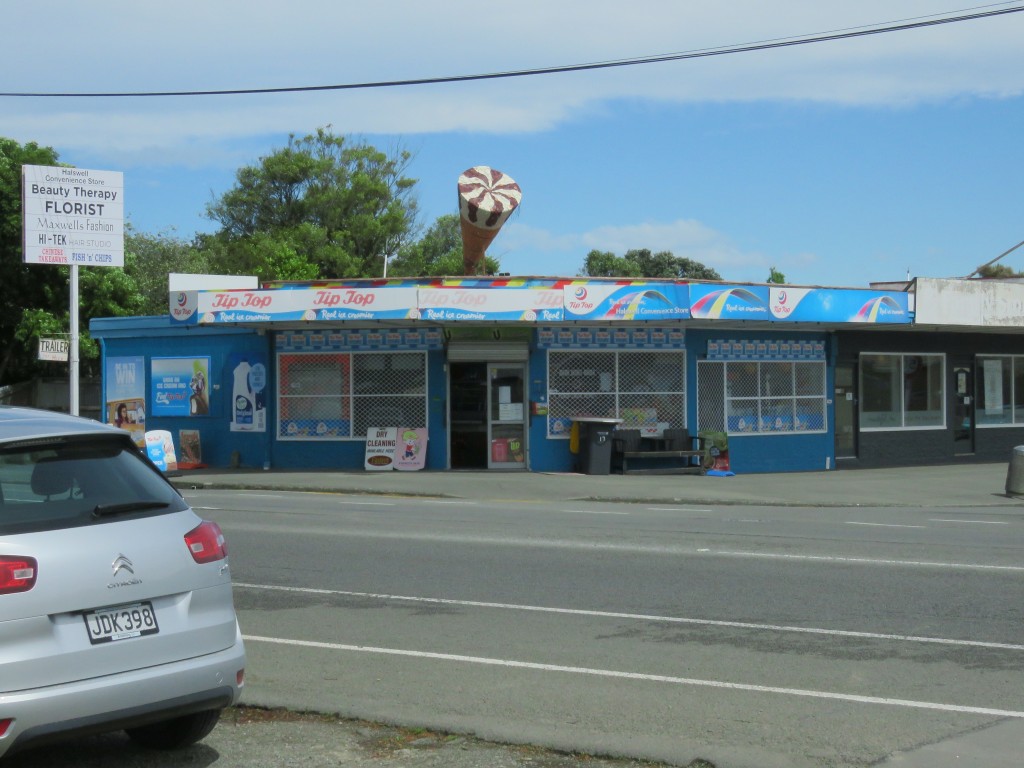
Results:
[638, 302]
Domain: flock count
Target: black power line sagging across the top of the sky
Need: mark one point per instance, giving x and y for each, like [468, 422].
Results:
[918, 23]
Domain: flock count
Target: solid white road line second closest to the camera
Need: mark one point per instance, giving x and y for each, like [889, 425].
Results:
[639, 617]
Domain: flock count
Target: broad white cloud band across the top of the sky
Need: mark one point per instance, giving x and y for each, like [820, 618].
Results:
[131, 47]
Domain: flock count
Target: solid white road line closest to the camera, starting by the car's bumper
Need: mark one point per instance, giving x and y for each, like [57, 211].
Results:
[643, 677]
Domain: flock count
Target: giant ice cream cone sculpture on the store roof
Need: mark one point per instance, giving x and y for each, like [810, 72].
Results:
[487, 199]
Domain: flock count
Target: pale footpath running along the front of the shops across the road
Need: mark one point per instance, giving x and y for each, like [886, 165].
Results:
[954, 486]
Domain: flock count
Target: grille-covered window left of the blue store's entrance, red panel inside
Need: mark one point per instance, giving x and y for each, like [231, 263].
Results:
[331, 397]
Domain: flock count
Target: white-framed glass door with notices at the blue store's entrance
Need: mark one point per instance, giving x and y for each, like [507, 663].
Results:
[507, 416]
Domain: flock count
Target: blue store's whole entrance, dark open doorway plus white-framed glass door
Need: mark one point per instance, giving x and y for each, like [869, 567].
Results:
[488, 415]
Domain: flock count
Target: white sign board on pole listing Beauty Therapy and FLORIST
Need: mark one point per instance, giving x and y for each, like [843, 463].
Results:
[73, 217]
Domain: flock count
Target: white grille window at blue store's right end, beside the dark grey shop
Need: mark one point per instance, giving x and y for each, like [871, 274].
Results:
[763, 397]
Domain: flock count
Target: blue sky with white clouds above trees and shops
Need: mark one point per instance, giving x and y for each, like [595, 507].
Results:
[839, 163]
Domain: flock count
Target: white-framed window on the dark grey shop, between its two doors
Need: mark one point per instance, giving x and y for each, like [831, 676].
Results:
[901, 392]
